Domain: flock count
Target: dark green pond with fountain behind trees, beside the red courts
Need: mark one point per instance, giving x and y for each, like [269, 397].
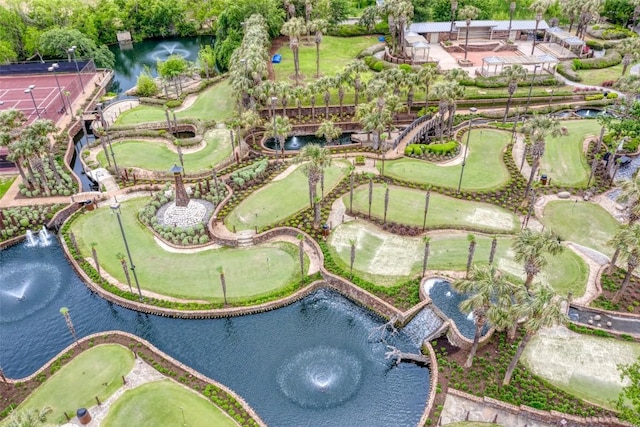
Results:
[131, 61]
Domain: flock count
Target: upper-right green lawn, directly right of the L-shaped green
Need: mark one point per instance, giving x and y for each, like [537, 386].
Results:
[564, 160]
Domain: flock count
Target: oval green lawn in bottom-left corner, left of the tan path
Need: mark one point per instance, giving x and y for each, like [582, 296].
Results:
[95, 372]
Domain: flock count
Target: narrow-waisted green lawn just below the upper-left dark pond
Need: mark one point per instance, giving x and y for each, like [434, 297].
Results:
[216, 103]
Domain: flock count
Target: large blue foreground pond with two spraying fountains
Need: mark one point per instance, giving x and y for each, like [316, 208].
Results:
[310, 363]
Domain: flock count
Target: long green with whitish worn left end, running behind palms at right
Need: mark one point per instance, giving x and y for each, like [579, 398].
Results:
[386, 259]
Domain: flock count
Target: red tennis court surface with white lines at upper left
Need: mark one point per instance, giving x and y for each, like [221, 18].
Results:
[46, 95]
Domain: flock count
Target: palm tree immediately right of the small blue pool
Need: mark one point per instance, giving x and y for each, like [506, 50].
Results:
[488, 292]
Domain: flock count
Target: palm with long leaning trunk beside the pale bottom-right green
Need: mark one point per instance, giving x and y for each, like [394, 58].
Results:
[542, 309]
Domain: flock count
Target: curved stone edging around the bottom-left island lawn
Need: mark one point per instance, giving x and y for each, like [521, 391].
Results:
[152, 349]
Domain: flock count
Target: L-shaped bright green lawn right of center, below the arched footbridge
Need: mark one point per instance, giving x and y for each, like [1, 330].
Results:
[484, 169]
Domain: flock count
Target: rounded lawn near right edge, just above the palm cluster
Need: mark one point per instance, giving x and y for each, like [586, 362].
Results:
[584, 223]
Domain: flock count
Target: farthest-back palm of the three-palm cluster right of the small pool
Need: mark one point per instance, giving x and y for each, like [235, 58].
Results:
[530, 248]
